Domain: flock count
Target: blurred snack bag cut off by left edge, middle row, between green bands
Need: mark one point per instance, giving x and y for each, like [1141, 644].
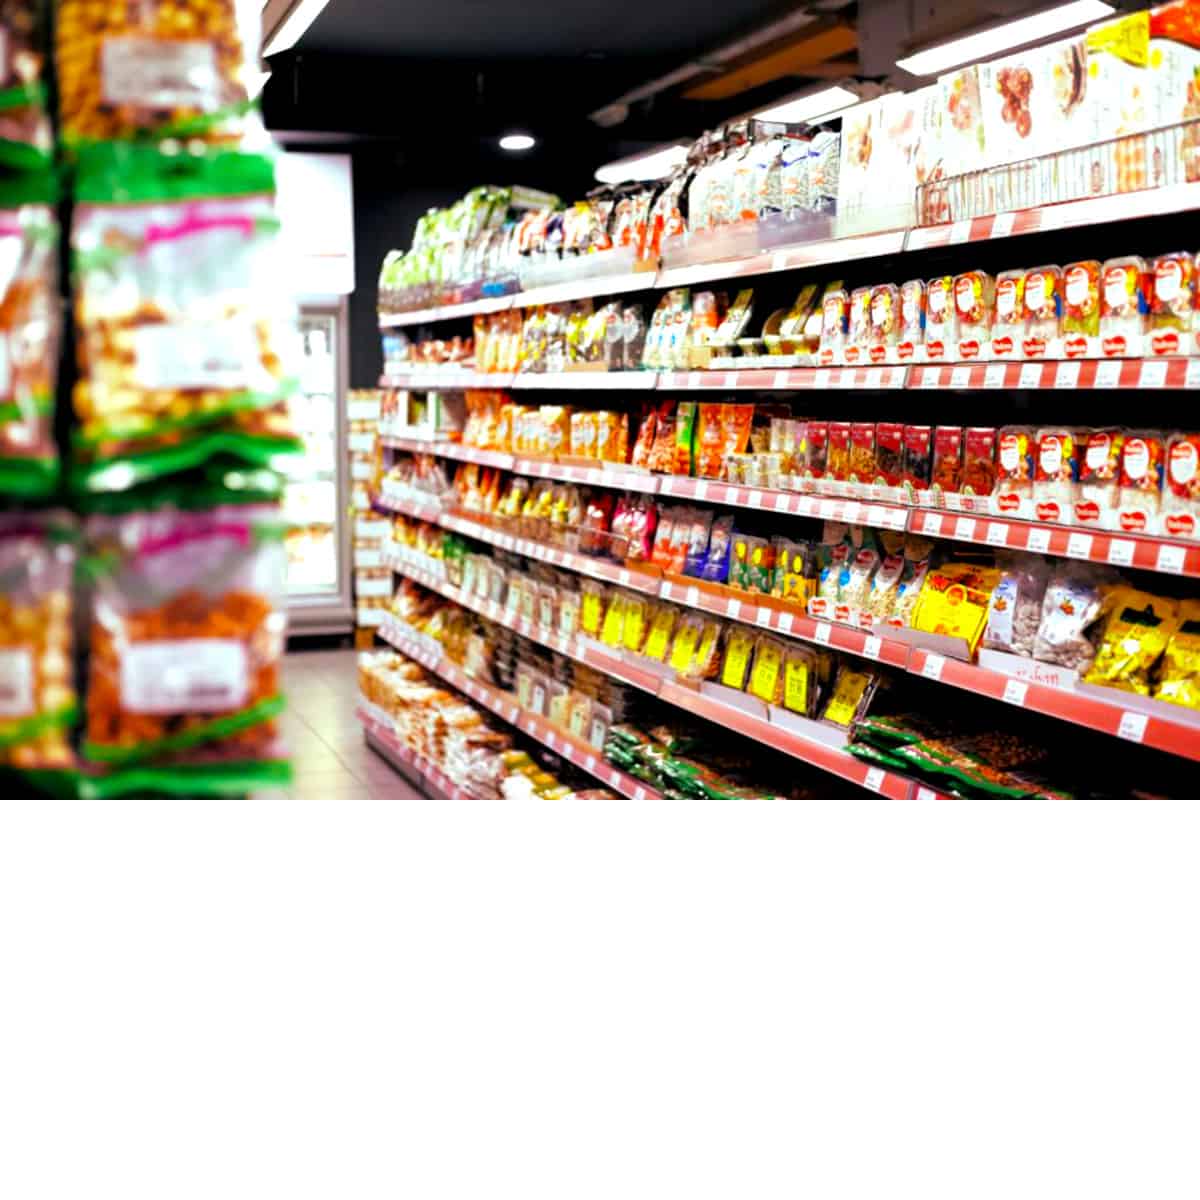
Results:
[29, 335]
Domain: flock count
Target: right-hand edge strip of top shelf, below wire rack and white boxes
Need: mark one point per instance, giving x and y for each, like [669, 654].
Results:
[1067, 215]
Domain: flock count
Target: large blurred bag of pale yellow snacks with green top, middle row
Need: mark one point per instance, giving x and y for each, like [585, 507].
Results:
[185, 337]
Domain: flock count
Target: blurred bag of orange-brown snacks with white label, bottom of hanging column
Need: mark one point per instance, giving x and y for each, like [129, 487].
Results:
[188, 631]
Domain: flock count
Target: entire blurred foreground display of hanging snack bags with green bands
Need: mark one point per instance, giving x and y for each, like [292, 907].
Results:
[160, 538]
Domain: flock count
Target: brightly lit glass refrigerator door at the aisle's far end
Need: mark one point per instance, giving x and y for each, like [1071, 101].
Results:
[317, 496]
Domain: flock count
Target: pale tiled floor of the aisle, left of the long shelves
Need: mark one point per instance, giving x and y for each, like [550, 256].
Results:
[331, 759]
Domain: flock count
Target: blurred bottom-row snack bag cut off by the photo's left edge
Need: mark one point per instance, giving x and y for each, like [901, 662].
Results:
[38, 700]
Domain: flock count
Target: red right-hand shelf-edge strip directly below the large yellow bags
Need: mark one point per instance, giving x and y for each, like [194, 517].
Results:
[1112, 717]
